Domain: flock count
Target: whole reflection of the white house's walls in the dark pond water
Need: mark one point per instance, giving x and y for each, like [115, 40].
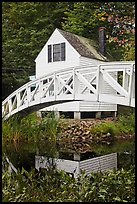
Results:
[97, 164]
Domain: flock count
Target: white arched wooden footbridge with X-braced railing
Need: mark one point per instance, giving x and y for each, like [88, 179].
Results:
[75, 84]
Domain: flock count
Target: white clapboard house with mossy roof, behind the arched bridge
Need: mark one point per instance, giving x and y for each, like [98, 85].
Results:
[63, 50]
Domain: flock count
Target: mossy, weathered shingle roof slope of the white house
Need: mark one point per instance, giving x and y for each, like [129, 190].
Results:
[84, 46]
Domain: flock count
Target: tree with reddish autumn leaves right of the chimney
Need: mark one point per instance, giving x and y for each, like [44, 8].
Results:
[121, 22]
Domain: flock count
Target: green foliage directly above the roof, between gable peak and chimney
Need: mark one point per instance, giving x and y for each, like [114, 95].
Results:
[76, 19]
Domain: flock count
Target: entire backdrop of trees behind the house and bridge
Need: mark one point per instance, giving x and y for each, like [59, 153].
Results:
[26, 26]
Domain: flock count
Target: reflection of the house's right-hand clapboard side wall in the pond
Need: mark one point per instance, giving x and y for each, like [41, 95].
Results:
[101, 163]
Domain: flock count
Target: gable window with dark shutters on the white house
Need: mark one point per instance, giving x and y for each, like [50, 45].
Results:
[56, 52]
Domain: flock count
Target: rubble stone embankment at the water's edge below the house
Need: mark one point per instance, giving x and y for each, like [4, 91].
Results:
[76, 135]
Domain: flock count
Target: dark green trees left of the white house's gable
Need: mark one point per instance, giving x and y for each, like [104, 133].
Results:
[26, 26]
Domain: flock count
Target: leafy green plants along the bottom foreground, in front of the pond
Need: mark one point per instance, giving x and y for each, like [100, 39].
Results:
[58, 186]
